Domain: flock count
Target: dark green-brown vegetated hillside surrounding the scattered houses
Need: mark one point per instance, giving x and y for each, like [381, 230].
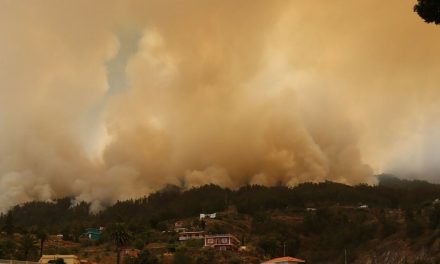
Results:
[320, 222]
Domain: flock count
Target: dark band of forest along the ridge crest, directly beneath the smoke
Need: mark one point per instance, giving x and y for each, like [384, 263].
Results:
[174, 203]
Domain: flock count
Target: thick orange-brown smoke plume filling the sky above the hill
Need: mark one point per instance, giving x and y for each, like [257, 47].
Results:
[105, 100]
